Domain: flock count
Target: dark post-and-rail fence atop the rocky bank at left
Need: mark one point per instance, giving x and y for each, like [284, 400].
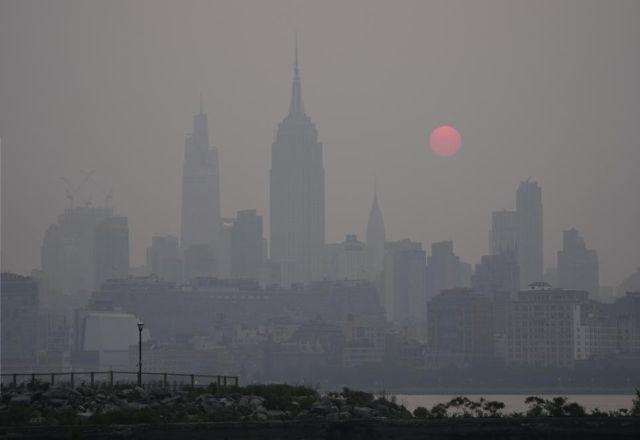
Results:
[111, 378]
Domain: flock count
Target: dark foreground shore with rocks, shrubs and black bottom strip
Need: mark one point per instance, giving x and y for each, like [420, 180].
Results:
[41, 411]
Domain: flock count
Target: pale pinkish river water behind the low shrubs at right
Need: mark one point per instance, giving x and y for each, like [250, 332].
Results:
[515, 402]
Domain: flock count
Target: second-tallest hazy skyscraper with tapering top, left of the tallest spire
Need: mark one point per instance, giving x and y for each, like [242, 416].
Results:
[200, 222]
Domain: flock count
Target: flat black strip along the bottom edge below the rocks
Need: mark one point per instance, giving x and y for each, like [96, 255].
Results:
[493, 428]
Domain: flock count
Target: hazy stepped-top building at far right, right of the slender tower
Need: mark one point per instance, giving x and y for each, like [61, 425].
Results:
[577, 265]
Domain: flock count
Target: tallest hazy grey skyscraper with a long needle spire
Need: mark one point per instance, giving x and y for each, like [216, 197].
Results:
[297, 191]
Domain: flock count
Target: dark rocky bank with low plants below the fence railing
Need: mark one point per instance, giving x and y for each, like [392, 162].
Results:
[51, 406]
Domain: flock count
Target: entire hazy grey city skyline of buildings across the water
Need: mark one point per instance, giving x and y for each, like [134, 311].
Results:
[294, 307]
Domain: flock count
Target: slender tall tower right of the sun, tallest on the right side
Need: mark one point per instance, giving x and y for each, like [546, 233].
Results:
[529, 213]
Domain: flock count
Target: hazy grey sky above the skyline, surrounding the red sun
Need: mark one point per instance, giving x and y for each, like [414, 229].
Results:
[546, 89]
